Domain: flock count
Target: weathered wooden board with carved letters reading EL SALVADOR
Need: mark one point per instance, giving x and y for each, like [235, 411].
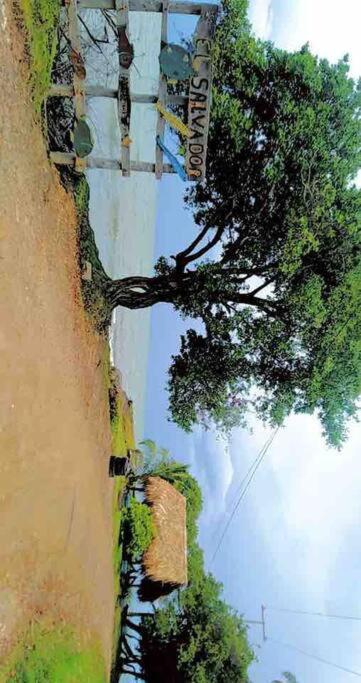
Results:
[200, 91]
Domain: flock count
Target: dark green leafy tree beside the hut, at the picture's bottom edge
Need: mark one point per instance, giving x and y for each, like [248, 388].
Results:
[199, 639]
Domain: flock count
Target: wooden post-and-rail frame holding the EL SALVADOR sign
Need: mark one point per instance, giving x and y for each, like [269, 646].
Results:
[198, 98]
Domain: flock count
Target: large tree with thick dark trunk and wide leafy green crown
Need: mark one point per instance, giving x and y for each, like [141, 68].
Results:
[273, 274]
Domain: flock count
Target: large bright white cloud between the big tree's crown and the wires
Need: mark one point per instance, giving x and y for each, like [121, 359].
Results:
[304, 496]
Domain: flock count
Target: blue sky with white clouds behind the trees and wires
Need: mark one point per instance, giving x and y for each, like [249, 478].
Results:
[294, 541]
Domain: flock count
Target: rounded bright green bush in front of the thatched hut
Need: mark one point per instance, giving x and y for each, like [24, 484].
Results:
[138, 529]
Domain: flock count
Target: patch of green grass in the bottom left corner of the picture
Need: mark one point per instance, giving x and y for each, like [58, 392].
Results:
[53, 655]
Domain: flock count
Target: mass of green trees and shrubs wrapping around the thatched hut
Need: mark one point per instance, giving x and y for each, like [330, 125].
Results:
[192, 635]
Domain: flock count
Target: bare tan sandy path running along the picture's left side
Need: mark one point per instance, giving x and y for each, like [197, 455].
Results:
[55, 495]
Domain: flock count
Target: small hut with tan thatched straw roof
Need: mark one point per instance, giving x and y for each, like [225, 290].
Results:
[165, 561]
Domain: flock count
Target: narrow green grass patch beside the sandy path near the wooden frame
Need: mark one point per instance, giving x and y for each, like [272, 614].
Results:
[40, 19]
